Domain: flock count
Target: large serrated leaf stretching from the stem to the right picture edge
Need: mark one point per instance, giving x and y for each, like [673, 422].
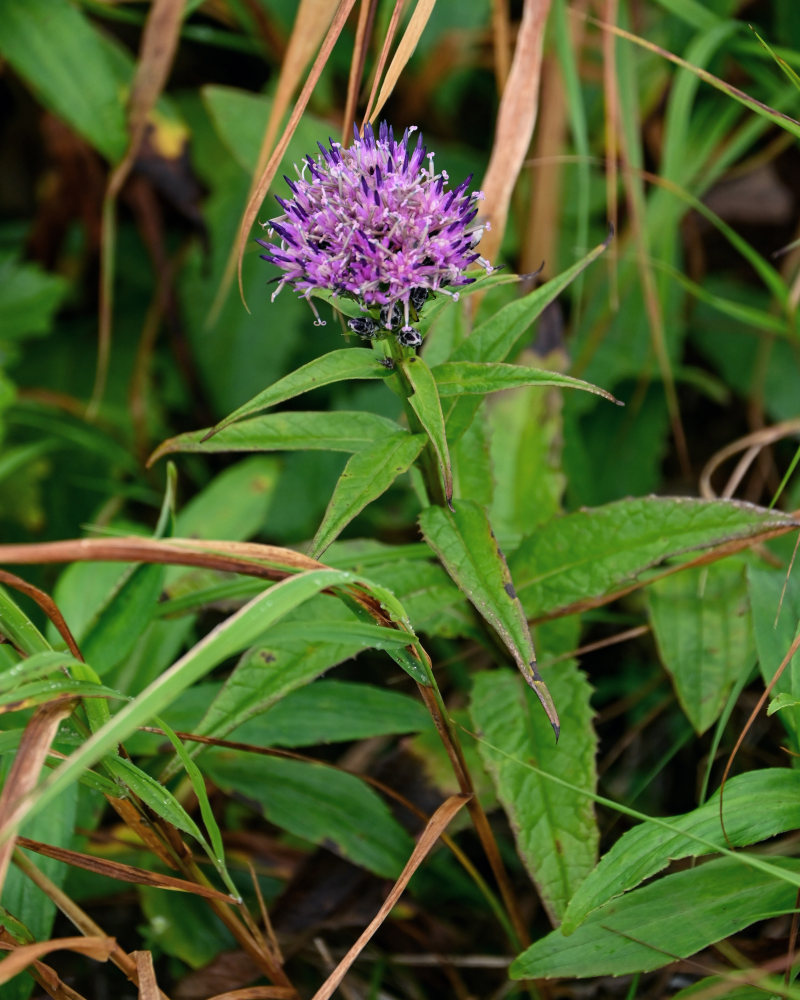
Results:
[592, 553]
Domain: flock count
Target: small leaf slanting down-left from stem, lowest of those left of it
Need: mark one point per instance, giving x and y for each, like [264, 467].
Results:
[367, 475]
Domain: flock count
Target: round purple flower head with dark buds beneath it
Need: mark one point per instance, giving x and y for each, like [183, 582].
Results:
[376, 223]
